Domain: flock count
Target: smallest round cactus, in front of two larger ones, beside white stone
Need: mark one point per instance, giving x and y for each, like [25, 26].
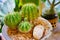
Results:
[25, 27]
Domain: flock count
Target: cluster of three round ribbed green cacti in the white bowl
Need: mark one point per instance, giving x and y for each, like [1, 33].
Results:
[28, 11]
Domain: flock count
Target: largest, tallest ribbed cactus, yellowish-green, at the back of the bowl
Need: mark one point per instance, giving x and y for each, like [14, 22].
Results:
[29, 11]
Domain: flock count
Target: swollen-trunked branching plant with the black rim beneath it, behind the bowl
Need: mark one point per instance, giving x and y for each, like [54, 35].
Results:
[51, 13]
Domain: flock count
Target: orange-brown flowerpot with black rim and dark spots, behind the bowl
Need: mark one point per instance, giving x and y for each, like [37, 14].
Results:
[53, 19]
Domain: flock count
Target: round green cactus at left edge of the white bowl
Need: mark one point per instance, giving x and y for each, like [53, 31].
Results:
[12, 20]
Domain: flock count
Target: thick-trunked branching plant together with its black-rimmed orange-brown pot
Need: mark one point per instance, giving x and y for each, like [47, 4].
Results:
[50, 14]
